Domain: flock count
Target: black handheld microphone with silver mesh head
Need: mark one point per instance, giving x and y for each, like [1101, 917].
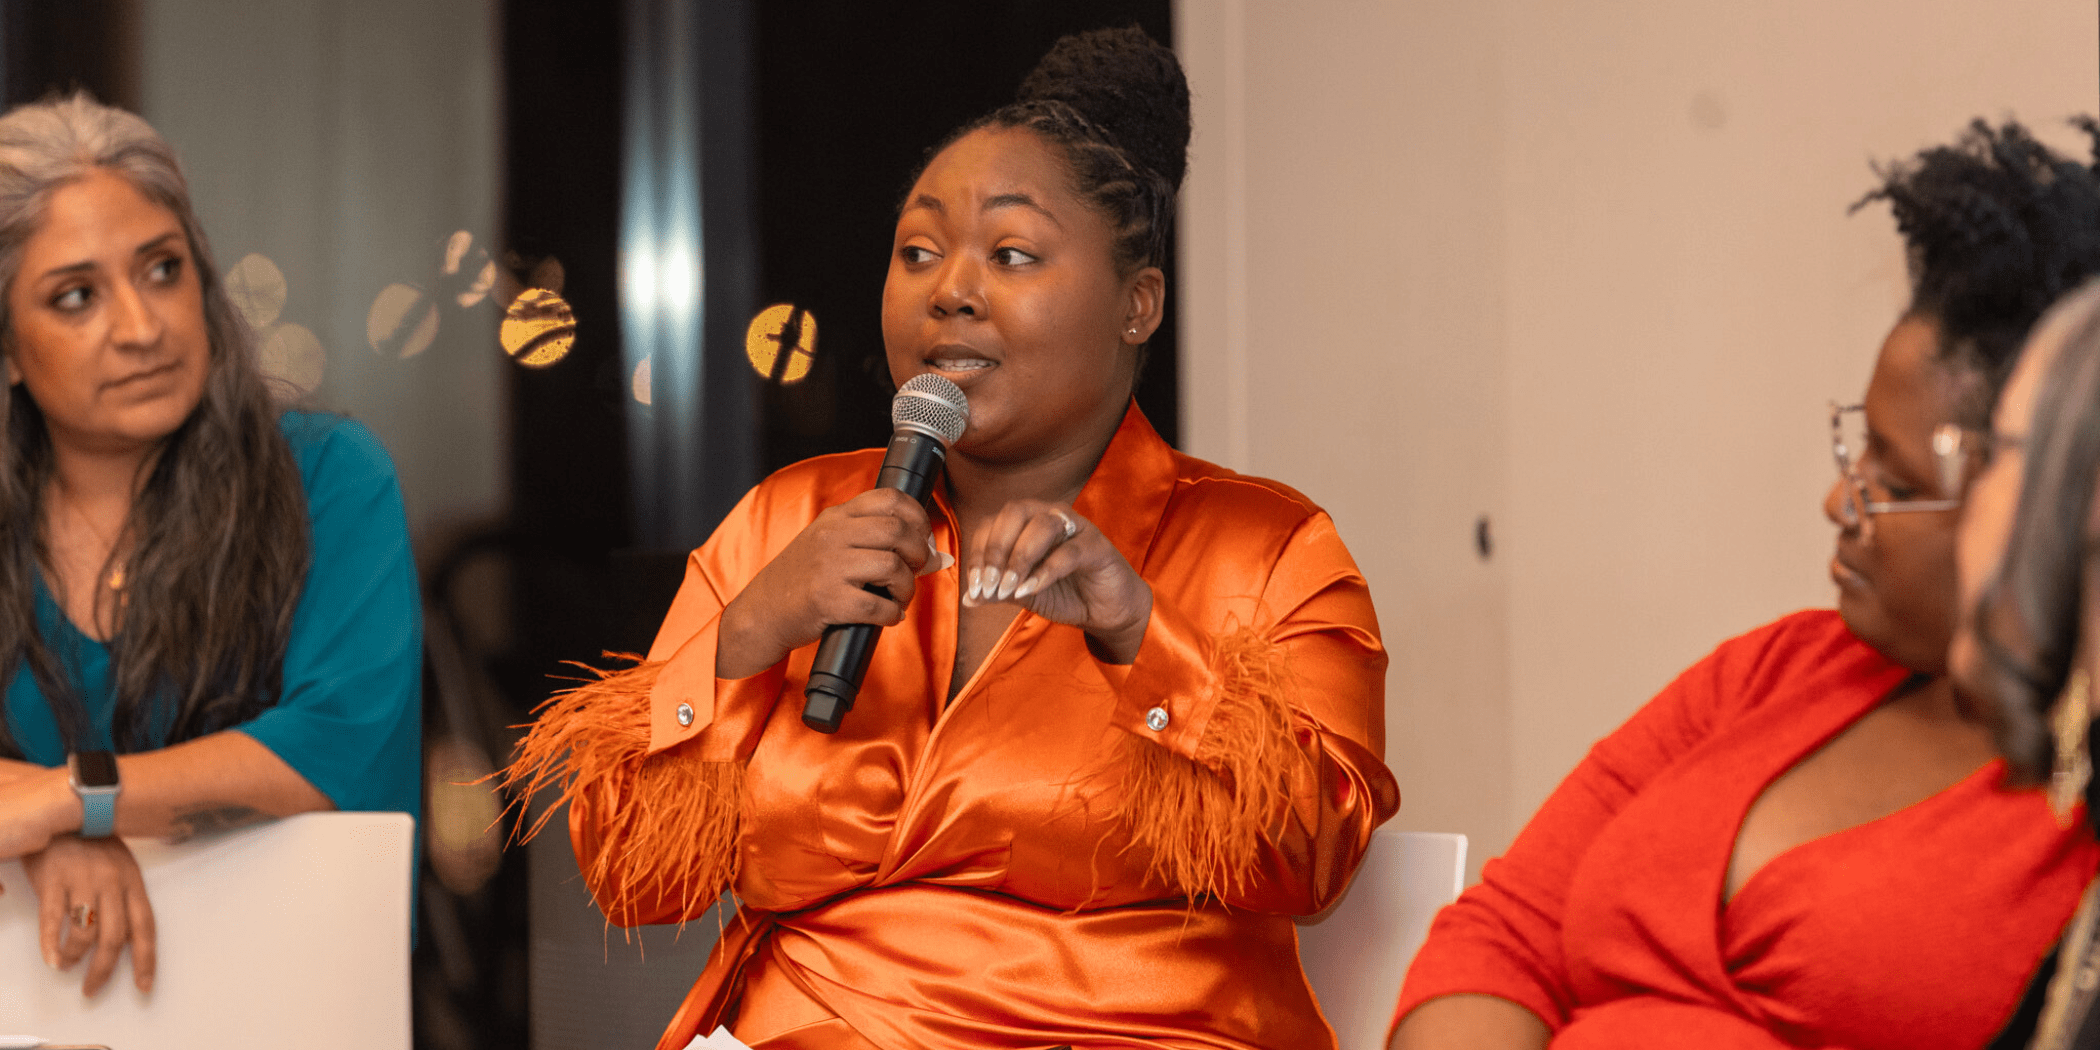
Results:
[929, 417]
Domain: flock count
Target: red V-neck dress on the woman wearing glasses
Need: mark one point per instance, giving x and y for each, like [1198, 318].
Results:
[1910, 933]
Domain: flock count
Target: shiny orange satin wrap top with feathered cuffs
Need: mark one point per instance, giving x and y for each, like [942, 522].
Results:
[1032, 864]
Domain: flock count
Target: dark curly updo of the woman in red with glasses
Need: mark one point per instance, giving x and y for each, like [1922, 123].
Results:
[1996, 228]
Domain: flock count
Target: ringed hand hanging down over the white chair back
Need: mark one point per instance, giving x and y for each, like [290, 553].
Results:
[91, 896]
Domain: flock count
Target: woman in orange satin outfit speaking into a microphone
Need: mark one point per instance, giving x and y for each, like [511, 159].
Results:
[1129, 713]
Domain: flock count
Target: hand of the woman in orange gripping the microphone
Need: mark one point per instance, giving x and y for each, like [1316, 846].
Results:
[881, 539]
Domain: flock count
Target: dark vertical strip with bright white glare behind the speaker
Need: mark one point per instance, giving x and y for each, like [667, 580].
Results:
[690, 266]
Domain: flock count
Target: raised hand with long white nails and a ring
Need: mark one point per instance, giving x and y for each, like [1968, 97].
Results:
[1062, 568]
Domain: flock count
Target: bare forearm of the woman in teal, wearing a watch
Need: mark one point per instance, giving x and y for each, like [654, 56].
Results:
[198, 786]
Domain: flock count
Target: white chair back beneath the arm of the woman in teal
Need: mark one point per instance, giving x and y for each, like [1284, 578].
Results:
[291, 933]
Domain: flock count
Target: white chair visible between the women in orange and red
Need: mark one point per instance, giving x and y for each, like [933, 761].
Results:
[1358, 952]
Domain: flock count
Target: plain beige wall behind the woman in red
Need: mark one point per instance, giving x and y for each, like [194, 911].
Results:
[1584, 270]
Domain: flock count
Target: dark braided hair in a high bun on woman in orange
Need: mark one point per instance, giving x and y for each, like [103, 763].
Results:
[1118, 104]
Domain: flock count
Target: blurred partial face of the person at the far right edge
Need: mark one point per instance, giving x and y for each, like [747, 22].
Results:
[2030, 612]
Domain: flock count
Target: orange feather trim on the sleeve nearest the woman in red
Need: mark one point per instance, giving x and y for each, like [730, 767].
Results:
[1204, 820]
